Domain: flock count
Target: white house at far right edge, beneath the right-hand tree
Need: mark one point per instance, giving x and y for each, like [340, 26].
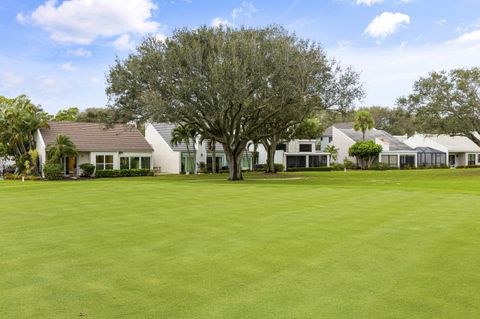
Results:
[444, 150]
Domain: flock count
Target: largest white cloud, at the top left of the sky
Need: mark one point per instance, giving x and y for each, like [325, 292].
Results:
[83, 21]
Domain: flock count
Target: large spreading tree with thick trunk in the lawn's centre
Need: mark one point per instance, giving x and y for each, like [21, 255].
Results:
[232, 85]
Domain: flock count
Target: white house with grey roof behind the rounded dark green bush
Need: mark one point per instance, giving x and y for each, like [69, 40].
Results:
[395, 153]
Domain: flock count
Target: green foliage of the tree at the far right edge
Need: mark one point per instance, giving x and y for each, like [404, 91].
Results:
[446, 102]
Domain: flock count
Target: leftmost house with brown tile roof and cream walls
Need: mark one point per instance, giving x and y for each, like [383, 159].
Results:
[118, 147]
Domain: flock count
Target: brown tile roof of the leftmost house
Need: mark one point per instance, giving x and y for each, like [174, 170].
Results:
[95, 137]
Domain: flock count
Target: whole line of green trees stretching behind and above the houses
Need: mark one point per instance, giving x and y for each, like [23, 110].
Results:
[241, 86]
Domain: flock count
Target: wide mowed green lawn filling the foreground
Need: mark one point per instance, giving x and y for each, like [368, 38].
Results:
[394, 244]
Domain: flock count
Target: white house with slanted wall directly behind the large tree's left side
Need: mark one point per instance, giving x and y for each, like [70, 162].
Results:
[177, 159]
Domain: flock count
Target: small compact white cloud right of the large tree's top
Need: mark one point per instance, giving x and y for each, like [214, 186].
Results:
[386, 24]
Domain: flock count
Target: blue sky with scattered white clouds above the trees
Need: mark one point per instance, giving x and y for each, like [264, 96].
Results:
[58, 52]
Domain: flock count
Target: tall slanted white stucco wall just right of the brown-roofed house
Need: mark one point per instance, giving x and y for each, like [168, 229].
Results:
[163, 156]
